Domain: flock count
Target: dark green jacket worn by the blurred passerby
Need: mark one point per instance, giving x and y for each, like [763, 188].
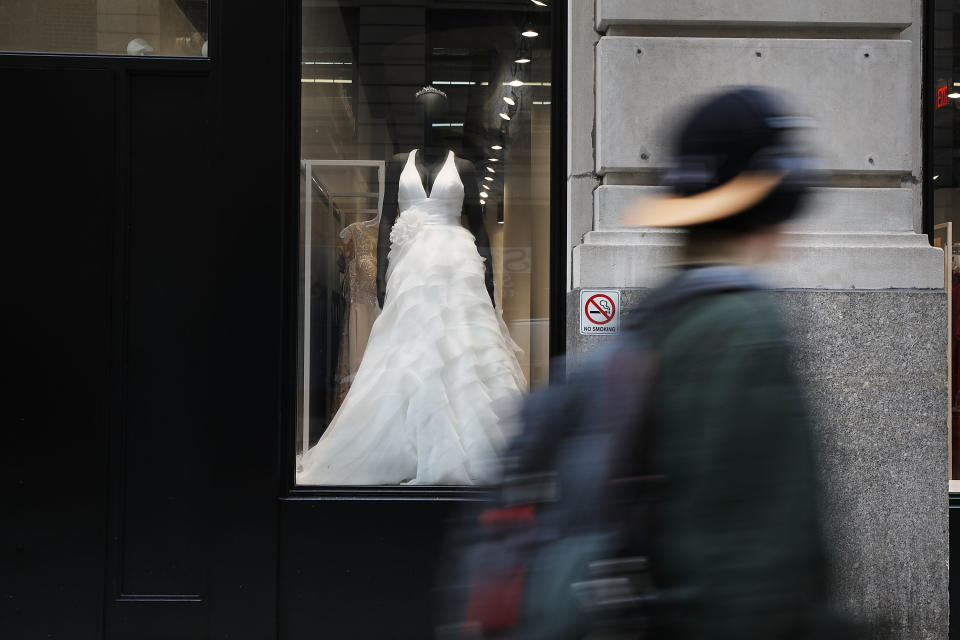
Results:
[738, 522]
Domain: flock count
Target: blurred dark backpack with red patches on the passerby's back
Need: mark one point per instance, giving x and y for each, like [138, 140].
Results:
[562, 552]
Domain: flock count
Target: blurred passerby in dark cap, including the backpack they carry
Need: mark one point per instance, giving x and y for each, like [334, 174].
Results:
[669, 488]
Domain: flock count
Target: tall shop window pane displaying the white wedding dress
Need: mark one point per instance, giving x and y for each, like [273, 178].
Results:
[425, 237]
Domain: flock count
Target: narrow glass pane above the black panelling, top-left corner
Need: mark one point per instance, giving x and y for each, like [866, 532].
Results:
[107, 27]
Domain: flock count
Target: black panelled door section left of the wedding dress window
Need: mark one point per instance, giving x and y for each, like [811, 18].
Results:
[142, 240]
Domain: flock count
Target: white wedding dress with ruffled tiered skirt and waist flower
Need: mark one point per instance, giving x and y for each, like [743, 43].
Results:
[439, 381]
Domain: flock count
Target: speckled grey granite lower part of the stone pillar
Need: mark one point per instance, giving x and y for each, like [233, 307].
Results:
[875, 367]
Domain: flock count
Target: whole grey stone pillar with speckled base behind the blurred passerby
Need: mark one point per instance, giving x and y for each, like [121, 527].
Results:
[858, 279]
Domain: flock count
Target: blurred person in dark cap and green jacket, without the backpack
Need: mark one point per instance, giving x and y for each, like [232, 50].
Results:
[736, 521]
